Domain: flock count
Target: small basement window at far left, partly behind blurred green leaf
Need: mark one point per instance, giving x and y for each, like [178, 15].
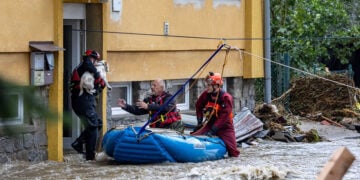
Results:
[13, 113]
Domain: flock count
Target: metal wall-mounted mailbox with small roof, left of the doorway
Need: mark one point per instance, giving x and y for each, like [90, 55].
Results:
[42, 62]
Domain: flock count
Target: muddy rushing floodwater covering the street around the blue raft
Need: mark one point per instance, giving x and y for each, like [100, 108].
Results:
[267, 160]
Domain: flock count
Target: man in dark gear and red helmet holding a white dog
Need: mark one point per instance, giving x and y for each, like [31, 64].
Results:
[84, 104]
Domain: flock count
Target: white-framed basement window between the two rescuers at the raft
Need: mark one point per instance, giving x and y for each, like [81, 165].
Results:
[182, 99]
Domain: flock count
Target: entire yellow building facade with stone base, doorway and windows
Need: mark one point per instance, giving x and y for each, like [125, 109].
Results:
[140, 41]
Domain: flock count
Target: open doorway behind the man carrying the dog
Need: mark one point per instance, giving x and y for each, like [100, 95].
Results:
[76, 40]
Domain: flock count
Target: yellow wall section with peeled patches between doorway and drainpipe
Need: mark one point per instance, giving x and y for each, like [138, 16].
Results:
[150, 55]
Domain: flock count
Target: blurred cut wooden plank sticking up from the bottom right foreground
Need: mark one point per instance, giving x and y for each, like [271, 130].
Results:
[337, 166]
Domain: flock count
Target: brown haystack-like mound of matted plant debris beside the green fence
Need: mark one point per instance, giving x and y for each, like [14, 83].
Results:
[310, 96]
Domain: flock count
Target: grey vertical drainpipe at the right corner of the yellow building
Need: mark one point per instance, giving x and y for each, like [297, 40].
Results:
[267, 52]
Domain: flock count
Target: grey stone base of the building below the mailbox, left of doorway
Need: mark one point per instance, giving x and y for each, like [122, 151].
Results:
[28, 141]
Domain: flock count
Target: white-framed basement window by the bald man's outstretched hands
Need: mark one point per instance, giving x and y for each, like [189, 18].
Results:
[120, 90]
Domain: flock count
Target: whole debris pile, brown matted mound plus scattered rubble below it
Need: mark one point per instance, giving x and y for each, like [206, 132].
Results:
[327, 101]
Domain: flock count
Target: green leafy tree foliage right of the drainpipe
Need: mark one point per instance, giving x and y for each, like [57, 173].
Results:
[308, 29]
